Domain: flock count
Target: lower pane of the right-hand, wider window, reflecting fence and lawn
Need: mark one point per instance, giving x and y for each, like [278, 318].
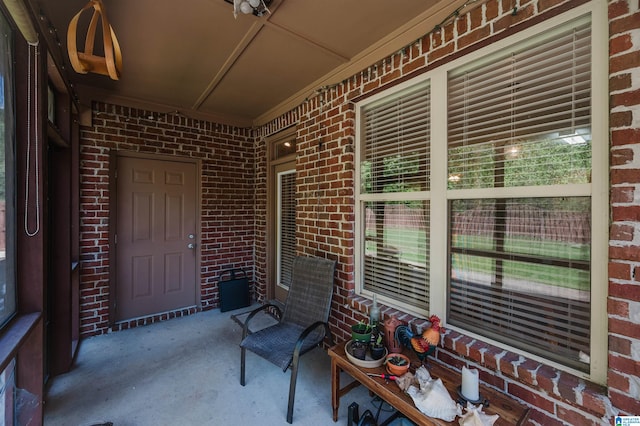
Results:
[520, 274]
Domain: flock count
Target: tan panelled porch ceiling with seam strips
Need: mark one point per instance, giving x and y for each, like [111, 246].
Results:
[193, 57]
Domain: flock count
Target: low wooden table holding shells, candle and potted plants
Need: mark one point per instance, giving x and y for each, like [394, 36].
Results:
[510, 411]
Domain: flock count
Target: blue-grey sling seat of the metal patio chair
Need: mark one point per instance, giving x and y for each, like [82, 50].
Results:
[276, 343]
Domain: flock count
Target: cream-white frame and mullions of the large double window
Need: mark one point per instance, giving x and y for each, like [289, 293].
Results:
[598, 189]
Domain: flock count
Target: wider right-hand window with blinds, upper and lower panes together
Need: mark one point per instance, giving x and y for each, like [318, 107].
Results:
[520, 267]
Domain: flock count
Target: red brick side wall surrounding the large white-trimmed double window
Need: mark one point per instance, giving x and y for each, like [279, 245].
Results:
[326, 205]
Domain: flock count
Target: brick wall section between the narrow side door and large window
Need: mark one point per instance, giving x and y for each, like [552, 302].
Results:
[325, 185]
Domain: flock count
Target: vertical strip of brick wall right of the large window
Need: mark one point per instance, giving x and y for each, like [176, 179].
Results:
[624, 245]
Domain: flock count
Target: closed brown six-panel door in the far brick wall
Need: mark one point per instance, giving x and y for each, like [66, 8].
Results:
[156, 236]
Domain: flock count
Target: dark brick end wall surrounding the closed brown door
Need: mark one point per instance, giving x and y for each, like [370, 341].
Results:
[227, 202]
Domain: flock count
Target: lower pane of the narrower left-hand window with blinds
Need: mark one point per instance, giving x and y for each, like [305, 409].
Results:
[397, 251]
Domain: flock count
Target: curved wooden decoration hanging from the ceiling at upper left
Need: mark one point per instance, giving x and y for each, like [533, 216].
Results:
[86, 62]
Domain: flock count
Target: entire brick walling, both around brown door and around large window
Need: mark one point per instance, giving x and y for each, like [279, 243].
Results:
[325, 165]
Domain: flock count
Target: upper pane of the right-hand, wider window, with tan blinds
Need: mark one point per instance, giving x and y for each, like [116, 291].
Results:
[522, 118]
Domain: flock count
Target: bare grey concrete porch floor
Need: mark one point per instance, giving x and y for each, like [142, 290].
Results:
[186, 371]
